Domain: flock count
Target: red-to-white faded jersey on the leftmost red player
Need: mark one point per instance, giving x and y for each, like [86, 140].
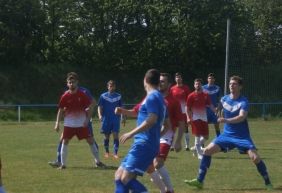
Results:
[74, 105]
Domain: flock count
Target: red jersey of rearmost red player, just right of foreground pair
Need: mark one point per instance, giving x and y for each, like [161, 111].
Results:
[180, 93]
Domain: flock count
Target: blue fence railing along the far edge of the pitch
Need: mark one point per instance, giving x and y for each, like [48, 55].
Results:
[262, 109]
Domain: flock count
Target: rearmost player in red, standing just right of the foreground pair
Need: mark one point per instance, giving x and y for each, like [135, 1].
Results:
[181, 91]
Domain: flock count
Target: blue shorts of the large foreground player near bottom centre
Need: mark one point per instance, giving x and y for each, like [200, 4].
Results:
[139, 158]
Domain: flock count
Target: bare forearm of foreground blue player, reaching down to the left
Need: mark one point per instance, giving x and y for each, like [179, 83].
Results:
[149, 122]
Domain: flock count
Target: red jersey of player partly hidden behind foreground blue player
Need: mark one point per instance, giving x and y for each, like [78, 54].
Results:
[174, 111]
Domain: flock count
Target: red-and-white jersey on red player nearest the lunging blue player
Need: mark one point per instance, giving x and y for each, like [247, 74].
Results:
[198, 102]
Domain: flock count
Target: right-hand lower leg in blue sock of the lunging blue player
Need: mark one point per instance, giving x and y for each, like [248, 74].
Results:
[261, 167]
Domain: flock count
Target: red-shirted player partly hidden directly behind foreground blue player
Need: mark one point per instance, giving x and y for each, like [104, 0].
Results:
[158, 172]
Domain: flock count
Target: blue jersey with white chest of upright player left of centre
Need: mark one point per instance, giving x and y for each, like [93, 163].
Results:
[109, 101]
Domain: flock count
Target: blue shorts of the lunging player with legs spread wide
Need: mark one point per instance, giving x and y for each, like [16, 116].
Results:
[227, 143]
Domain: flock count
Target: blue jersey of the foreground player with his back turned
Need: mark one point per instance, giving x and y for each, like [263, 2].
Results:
[153, 103]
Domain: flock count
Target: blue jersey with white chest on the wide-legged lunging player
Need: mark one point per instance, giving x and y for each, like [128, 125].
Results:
[231, 108]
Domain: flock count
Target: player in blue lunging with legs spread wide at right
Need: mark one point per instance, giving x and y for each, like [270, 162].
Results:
[236, 134]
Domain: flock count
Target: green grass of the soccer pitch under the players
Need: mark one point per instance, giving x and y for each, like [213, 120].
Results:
[27, 147]
